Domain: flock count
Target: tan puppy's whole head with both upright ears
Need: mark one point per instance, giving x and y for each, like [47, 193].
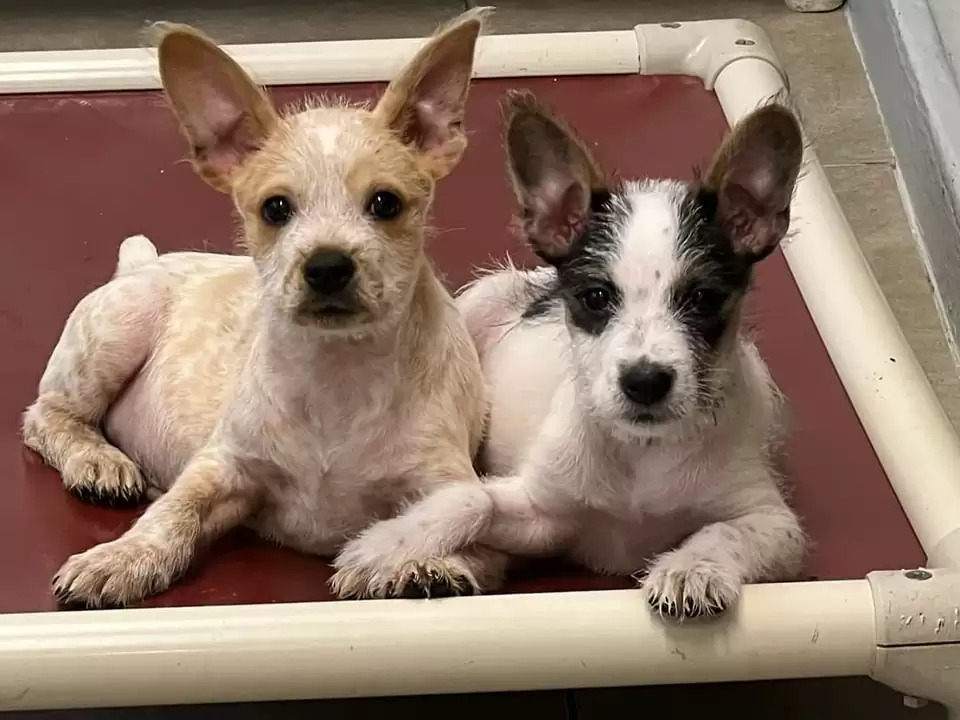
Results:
[327, 166]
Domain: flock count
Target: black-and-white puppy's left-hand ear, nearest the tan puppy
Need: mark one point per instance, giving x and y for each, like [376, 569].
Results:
[554, 176]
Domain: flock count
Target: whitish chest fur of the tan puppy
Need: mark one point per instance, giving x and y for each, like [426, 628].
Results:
[326, 426]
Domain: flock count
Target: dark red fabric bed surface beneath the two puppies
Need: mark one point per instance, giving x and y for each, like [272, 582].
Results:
[81, 172]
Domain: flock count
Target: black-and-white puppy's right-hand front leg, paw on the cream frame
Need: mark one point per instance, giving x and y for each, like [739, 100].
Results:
[705, 574]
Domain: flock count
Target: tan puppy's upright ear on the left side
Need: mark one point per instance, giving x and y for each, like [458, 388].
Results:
[225, 115]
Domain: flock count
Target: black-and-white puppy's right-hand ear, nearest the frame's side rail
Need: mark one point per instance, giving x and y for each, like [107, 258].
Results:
[753, 175]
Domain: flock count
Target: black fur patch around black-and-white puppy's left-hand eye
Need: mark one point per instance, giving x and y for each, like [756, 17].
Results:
[586, 268]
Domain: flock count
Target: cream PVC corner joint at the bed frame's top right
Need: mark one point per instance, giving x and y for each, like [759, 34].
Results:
[704, 48]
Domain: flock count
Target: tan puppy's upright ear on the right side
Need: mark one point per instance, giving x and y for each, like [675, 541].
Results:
[425, 105]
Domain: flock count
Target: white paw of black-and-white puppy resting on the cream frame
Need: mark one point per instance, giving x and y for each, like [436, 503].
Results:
[685, 584]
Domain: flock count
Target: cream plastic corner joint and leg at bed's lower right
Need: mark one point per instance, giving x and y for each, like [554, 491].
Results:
[918, 634]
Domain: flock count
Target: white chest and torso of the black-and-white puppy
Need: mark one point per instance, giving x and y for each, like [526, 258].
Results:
[629, 497]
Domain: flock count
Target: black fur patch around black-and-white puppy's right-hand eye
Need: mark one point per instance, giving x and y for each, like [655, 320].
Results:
[707, 298]
